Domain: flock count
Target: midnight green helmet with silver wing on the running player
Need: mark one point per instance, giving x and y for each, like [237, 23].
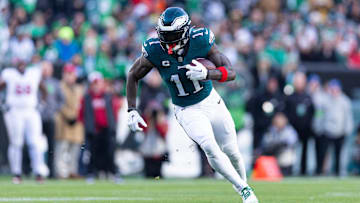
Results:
[173, 29]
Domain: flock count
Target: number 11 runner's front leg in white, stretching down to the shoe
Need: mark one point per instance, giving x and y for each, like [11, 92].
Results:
[198, 127]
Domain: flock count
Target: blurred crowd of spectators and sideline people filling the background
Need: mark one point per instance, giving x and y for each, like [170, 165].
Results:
[87, 46]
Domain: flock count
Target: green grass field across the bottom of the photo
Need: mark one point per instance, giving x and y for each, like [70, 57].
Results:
[292, 190]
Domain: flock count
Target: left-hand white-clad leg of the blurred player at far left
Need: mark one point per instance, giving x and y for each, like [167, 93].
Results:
[15, 128]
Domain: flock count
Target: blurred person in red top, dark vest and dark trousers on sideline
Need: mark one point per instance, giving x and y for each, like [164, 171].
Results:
[98, 112]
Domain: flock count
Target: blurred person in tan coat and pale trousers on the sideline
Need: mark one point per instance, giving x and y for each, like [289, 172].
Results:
[69, 132]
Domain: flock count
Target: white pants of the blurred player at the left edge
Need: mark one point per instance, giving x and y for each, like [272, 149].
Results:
[24, 124]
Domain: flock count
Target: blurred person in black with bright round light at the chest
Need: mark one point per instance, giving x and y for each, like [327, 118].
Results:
[263, 106]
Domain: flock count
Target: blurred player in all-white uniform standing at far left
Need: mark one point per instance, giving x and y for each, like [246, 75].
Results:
[22, 119]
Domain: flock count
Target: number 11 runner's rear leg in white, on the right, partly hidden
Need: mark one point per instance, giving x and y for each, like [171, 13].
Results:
[225, 135]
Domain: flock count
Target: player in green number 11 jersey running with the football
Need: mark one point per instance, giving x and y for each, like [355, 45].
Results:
[198, 108]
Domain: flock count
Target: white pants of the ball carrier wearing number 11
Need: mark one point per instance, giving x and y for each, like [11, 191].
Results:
[210, 124]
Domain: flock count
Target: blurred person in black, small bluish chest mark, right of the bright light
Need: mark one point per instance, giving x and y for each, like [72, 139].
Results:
[299, 109]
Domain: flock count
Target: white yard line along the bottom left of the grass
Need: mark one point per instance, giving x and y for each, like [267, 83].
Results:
[67, 199]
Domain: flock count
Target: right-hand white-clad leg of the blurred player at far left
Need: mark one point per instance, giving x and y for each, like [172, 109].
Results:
[33, 133]
